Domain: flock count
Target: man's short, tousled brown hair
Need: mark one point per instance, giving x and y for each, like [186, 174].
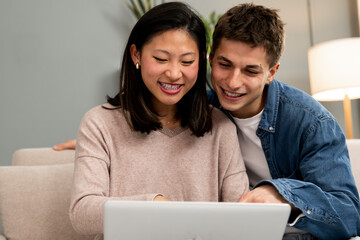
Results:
[255, 25]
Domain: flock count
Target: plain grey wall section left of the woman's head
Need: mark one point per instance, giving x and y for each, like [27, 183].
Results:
[57, 60]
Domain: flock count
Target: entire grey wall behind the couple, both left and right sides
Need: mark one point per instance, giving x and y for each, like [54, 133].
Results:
[60, 58]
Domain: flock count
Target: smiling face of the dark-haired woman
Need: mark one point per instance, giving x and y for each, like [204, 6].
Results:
[169, 65]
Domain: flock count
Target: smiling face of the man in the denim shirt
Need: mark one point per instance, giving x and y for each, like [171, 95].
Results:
[239, 75]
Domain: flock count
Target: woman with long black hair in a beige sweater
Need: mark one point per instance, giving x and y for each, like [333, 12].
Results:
[158, 139]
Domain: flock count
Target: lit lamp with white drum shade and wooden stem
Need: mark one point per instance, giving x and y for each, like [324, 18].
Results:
[334, 69]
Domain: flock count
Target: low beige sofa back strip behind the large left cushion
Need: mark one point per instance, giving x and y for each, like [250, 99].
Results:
[42, 156]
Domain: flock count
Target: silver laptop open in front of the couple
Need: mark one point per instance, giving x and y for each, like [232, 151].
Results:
[139, 220]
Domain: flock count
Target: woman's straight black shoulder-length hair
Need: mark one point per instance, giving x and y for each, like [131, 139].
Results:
[135, 98]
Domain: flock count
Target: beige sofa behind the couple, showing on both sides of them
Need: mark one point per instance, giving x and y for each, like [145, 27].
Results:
[35, 193]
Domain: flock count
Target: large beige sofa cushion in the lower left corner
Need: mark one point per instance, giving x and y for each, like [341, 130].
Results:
[34, 202]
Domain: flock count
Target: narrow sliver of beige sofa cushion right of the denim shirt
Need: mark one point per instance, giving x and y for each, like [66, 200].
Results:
[354, 153]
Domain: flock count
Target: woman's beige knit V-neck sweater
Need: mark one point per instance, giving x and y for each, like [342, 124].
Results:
[114, 162]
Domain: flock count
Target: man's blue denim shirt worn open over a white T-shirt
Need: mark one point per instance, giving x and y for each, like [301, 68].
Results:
[308, 159]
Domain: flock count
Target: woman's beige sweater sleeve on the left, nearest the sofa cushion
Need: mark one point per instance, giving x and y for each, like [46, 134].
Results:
[91, 178]
